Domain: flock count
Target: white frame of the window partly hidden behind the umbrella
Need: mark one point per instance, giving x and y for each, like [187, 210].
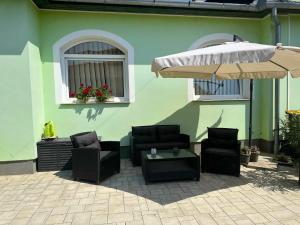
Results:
[208, 40]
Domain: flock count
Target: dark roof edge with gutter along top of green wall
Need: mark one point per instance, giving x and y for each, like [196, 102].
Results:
[258, 10]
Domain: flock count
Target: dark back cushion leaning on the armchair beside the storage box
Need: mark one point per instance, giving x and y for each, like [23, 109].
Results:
[86, 140]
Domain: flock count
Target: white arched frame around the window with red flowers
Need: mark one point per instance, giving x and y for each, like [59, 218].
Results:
[75, 38]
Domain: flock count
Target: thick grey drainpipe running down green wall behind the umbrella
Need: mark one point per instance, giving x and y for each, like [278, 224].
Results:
[276, 22]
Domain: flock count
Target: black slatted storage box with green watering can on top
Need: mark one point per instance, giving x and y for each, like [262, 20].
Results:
[54, 155]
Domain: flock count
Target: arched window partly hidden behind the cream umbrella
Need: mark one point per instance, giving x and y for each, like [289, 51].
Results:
[216, 89]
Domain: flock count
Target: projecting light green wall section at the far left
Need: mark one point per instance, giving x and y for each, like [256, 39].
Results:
[22, 111]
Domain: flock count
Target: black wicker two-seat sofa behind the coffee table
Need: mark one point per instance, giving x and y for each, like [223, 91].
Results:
[156, 136]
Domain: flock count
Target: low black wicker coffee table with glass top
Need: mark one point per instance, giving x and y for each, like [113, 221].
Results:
[170, 164]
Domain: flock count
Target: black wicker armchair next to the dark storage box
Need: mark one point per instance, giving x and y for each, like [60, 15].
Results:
[92, 159]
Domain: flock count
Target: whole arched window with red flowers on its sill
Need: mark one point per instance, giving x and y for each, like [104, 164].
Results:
[93, 58]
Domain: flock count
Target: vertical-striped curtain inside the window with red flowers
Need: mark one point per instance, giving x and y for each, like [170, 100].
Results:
[95, 72]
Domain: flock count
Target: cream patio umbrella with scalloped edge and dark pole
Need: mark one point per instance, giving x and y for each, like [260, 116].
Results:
[234, 60]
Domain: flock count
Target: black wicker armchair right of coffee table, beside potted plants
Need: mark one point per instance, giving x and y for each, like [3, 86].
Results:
[220, 152]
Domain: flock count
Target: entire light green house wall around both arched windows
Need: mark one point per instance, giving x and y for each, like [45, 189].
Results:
[27, 90]
